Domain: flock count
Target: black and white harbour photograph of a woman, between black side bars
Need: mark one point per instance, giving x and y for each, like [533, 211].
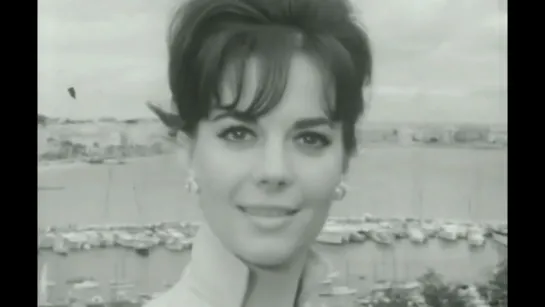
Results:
[272, 153]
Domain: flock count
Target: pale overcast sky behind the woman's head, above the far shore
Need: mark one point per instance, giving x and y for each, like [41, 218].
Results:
[436, 60]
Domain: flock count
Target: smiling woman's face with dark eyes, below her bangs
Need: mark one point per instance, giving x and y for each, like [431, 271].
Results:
[266, 186]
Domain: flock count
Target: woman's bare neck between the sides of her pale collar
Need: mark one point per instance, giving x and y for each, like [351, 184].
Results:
[275, 287]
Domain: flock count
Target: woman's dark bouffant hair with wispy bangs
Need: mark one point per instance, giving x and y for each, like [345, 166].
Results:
[207, 35]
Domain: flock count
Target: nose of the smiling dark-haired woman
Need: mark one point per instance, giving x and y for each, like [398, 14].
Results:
[273, 171]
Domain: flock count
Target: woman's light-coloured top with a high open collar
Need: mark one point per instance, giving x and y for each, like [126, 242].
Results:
[216, 278]
